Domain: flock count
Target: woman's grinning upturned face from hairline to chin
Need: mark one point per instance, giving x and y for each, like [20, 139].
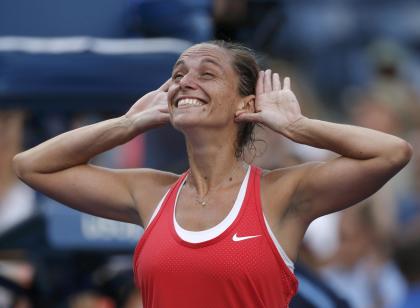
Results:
[204, 90]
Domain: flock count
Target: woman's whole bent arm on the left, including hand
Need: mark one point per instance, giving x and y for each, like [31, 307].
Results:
[60, 166]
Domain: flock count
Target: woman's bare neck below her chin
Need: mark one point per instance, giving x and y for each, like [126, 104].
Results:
[212, 162]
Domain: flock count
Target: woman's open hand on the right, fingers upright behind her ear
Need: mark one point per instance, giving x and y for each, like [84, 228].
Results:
[275, 107]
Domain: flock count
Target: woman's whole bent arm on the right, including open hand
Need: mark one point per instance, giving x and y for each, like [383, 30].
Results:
[368, 158]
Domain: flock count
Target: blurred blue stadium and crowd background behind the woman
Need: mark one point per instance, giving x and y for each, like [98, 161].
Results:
[64, 64]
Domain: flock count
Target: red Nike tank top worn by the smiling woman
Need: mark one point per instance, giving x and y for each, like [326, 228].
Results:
[239, 268]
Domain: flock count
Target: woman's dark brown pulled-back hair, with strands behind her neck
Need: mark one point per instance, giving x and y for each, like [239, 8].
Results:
[245, 65]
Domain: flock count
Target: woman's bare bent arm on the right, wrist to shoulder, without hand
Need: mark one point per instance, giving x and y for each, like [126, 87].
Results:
[368, 160]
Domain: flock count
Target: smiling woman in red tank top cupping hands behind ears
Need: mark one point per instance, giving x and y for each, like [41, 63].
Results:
[223, 234]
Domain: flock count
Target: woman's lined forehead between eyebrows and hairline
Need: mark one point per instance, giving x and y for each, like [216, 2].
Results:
[207, 53]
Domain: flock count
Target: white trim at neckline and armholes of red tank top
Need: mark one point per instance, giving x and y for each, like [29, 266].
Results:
[185, 234]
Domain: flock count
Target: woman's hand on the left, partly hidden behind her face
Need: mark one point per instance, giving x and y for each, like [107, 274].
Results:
[152, 108]
